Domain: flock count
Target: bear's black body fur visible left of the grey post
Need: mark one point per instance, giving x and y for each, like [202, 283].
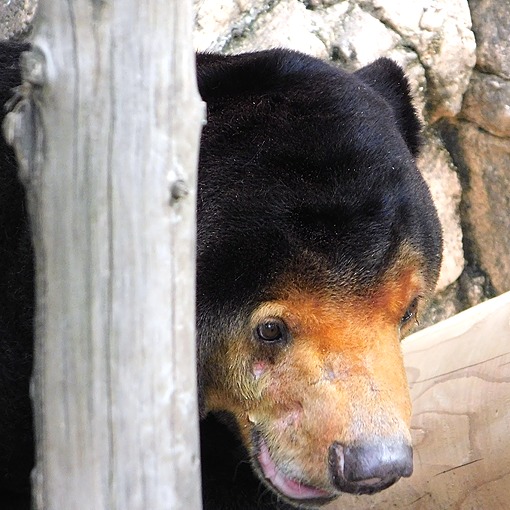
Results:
[16, 311]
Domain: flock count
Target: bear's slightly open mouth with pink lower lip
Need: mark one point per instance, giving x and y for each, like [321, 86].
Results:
[282, 483]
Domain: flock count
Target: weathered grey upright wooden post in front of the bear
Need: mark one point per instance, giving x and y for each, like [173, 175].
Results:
[108, 137]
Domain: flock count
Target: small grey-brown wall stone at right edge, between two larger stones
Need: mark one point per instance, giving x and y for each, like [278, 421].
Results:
[487, 103]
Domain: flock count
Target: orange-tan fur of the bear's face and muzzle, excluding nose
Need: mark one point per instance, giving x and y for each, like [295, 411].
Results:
[339, 378]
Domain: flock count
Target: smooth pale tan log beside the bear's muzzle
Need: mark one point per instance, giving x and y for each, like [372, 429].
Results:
[459, 372]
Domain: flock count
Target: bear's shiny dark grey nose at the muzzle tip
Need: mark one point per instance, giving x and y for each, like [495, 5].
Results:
[366, 468]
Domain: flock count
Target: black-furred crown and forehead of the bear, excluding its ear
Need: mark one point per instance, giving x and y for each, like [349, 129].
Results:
[307, 174]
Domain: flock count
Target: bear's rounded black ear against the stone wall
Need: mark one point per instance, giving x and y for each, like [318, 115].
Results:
[388, 79]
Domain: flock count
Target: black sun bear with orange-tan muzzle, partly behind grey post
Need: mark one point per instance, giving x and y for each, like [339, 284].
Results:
[317, 246]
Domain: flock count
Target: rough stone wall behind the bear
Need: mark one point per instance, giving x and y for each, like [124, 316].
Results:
[457, 55]
